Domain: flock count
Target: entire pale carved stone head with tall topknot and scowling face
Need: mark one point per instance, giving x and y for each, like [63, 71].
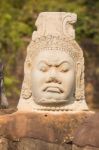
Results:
[54, 66]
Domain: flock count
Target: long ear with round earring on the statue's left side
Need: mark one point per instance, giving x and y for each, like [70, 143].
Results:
[26, 92]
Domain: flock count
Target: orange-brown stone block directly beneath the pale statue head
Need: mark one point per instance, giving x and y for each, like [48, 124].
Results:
[50, 127]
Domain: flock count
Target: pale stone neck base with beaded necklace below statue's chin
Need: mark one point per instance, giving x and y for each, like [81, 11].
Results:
[30, 106]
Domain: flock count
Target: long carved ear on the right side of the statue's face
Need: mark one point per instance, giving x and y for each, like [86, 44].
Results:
[79, 93]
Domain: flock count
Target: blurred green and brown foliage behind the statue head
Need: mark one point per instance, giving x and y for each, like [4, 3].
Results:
[17, 19]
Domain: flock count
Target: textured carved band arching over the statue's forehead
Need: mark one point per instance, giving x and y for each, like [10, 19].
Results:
[55, 43]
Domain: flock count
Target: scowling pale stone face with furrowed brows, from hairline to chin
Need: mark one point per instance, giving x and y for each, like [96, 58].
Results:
[53, 77]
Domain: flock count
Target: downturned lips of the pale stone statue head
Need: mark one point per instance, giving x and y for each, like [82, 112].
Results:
[54, 89]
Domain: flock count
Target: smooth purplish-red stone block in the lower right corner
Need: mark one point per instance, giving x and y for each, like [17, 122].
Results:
[88, 133]
